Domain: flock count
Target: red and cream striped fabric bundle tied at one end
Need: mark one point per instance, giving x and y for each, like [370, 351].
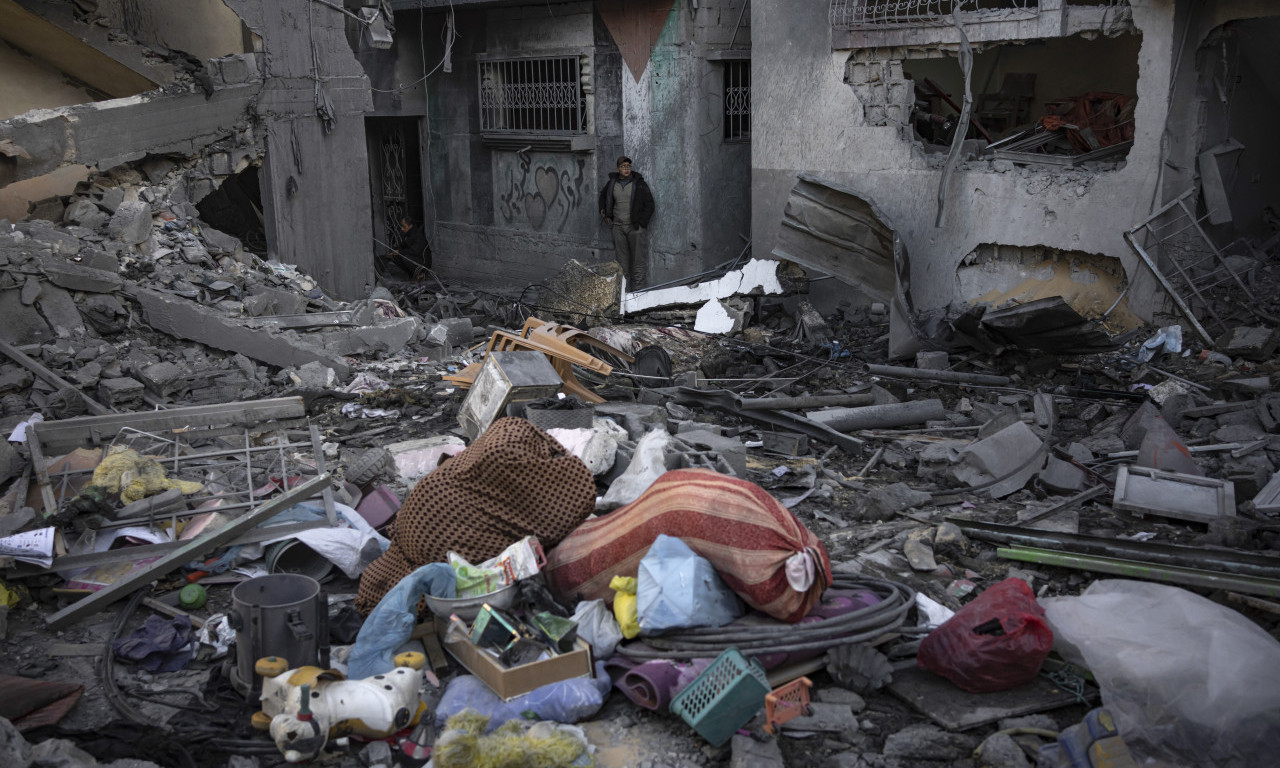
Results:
[735, 524]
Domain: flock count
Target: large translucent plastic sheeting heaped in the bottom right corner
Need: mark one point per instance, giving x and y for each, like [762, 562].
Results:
[1190, 682]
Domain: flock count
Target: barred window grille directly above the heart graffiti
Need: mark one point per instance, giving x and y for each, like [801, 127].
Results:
[532, 97]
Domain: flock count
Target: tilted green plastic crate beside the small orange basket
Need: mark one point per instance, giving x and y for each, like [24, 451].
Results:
[724, 698]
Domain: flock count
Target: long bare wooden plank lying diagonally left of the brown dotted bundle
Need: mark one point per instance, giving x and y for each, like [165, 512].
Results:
[191, 551]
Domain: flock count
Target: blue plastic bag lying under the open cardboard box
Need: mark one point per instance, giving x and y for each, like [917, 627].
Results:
[564, 702]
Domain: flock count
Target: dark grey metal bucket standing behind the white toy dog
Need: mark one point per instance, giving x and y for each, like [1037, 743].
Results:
[282, 615]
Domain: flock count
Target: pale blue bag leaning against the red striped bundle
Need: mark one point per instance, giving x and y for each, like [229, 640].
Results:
[676, 588]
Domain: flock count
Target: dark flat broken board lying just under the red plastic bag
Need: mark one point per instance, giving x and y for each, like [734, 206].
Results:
[938, 700]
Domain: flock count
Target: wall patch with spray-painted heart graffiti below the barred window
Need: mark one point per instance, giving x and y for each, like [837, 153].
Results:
[542, 194]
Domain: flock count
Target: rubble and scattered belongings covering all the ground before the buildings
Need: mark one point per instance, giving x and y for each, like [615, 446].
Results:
[171, 397]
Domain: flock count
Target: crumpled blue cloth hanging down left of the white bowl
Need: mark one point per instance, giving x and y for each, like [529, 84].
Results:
[391, 623]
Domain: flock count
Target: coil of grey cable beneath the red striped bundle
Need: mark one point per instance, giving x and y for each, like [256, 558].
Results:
[858, 627]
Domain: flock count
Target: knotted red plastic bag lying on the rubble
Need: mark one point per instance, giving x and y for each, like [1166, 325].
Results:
[995, 643]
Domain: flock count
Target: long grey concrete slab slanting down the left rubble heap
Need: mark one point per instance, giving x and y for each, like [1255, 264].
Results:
[184, 319]
